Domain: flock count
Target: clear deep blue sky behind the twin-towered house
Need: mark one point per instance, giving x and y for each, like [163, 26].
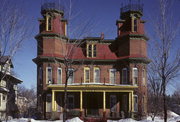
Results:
[103, 14]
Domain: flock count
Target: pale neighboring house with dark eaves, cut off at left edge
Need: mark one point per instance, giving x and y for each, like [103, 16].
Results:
[8, 89]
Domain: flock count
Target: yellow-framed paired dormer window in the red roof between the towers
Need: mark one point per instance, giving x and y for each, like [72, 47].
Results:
[91, 50]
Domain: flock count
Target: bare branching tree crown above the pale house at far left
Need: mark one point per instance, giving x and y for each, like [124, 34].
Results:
[13, 30]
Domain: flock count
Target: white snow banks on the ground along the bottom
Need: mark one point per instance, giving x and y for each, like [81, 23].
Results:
[172, 117]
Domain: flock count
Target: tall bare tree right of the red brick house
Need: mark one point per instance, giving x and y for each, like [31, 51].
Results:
[165, 59]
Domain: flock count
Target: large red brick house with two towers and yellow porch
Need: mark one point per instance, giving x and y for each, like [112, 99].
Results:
[110, 82]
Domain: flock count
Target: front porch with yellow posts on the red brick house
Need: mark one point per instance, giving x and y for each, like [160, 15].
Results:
[94, 102]
